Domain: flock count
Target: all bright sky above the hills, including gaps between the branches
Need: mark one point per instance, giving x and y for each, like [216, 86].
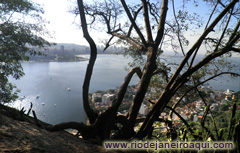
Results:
[65, 31]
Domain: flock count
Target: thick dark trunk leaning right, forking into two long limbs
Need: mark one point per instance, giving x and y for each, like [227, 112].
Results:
[174, 82]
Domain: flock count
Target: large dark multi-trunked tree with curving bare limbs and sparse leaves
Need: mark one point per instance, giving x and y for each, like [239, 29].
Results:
[151, 17]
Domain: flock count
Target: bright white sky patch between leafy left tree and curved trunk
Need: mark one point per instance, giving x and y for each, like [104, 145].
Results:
[61, 22]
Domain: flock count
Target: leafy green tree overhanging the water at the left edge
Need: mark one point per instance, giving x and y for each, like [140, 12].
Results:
[21, 28]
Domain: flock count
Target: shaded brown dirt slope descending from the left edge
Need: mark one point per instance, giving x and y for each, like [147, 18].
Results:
[19, 133]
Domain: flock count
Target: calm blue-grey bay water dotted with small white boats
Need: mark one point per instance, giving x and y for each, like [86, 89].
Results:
[51, 80]
